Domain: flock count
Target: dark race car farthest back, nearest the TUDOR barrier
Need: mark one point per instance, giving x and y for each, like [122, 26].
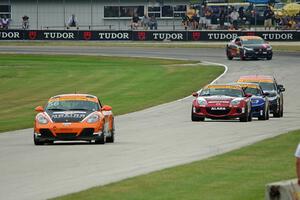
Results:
[253, 47]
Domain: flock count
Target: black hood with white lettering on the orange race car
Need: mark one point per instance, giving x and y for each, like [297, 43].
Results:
[67, 116]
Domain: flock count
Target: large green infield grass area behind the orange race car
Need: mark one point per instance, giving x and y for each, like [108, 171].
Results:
[127, 84]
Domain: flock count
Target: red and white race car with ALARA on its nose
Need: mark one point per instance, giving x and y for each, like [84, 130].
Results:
[221, 102]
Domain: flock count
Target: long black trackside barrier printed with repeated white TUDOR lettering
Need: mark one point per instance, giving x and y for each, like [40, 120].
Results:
[145, 35]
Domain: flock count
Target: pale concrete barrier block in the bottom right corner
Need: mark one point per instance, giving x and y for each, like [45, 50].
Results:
[284, 190]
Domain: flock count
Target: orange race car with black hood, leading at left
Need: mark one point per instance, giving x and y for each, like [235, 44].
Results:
[74, 117]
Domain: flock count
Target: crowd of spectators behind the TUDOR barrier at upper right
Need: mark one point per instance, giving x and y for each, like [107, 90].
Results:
[236, 18]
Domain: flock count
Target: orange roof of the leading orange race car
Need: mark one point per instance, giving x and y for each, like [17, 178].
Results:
[76, 97]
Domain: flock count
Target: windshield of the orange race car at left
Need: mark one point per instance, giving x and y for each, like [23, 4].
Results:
[72, 105]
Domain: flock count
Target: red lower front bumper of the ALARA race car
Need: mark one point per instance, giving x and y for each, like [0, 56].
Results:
[227, 113]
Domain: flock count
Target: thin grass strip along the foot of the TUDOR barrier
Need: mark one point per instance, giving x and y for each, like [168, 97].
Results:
[277, 46]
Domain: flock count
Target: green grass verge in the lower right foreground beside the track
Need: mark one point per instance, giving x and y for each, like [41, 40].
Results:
[240, 174]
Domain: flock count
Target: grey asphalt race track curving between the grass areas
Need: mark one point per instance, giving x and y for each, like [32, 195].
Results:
[148, 140]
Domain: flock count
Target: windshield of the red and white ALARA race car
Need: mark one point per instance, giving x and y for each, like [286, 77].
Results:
[222, 91]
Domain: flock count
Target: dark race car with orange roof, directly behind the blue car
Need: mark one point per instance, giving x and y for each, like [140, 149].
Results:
[270, 86]
